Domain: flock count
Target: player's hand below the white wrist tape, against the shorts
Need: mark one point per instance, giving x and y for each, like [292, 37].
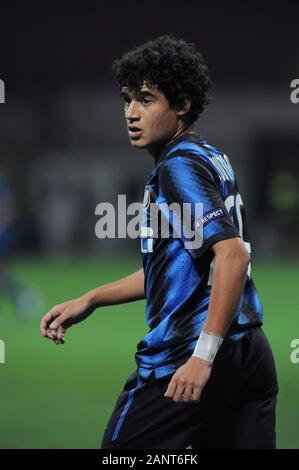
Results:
[189, 380]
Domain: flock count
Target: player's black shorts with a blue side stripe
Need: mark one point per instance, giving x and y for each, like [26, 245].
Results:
[236, 409]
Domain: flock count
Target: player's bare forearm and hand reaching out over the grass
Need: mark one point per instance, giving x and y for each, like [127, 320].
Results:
[54, 324]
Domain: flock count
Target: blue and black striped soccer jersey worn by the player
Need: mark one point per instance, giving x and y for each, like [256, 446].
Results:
[178, 277]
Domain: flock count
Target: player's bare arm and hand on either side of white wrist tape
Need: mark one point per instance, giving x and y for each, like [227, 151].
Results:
[231, 263]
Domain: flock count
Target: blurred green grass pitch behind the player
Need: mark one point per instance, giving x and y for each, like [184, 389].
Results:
[62, 396]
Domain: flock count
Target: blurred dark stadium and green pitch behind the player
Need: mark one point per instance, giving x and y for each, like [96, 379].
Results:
[64, 149]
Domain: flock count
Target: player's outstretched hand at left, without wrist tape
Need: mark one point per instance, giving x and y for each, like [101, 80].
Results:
[54, 324]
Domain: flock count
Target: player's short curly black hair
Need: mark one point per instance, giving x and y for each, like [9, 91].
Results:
[174, 65]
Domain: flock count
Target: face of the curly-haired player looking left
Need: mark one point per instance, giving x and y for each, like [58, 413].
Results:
[150, 120]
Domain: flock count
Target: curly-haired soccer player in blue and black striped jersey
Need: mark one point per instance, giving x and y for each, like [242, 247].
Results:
[205, 372]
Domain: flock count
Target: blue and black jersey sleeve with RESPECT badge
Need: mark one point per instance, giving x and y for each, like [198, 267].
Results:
[187, 179]
